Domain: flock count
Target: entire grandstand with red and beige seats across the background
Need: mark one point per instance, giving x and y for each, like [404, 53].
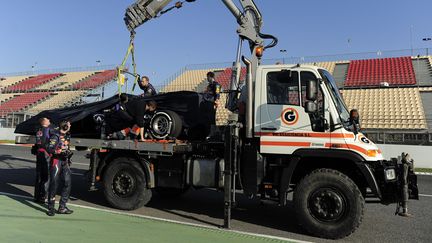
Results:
[393, 94]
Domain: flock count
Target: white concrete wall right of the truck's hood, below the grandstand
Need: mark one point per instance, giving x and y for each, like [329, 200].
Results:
[422, 155]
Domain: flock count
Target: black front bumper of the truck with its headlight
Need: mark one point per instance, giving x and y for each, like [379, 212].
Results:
[396, 180]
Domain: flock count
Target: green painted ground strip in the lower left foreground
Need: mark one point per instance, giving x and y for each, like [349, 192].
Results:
[22, 220]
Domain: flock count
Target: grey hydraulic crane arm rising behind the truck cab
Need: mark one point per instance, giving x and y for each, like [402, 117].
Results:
[250, 21]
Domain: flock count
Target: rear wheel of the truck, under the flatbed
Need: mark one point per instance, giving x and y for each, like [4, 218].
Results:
[125, 184]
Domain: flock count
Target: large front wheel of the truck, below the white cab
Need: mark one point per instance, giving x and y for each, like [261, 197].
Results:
[328, 204]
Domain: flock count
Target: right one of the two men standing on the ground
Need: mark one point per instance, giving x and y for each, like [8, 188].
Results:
[60, 162]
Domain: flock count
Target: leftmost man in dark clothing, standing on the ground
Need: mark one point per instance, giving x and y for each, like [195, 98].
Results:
[42, 159]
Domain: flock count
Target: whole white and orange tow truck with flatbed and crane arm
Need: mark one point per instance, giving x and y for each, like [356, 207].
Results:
[295, 138]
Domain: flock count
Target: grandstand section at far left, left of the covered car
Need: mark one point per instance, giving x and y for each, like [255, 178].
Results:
[22, 96]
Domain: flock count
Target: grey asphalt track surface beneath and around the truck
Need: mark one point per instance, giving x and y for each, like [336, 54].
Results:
[205, 207]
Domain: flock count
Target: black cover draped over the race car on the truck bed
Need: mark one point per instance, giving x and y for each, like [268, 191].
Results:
[190, 106]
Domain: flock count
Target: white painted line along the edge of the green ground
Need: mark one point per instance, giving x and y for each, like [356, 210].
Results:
[169, 220]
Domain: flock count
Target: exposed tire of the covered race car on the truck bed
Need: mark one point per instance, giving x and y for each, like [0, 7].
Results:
[165, 124]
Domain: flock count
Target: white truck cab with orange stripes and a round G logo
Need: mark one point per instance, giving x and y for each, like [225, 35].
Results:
[284, 123]
